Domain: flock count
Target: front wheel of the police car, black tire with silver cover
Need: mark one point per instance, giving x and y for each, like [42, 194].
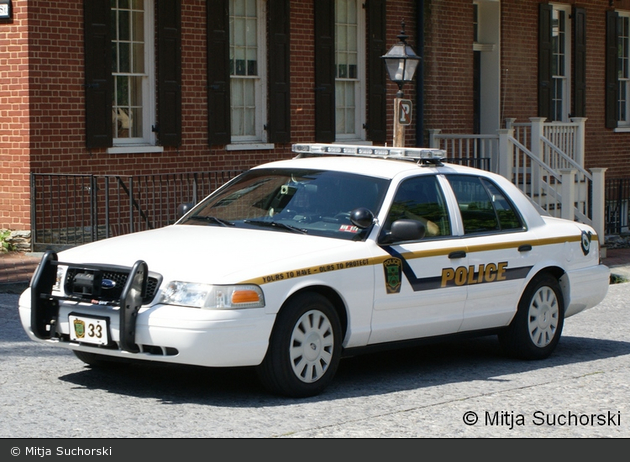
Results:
[304, 348]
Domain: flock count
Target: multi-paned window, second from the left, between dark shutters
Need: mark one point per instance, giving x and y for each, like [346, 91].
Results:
[247, 51]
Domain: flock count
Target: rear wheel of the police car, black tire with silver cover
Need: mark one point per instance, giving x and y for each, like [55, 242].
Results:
[536, 328]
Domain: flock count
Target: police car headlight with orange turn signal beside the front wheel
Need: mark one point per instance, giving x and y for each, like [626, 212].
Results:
[213, 297]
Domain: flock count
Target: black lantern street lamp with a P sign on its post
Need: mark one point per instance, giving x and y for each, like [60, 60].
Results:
[401, 63]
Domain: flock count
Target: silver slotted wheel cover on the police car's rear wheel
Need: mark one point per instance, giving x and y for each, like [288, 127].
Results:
[543, 317]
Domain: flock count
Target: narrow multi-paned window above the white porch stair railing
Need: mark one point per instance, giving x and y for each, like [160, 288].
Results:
[560, 65]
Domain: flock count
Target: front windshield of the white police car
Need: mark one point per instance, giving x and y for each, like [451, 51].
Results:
[313, 202]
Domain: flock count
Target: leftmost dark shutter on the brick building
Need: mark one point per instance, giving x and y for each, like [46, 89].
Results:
[98, 74]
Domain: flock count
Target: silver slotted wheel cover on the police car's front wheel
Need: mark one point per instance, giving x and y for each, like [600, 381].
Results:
[311, 346]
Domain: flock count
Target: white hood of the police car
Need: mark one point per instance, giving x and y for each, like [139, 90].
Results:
[209, 253]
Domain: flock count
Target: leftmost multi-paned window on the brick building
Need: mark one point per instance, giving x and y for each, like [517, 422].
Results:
[132, 69]
